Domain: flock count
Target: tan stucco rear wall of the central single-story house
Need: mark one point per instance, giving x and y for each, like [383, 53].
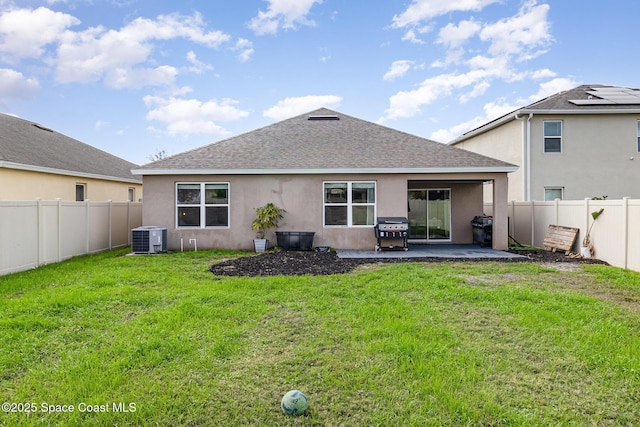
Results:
[302, 198]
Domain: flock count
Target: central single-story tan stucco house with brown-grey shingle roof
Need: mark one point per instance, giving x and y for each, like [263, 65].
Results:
[333, 174]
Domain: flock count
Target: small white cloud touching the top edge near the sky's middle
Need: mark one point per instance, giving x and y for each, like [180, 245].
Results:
[284, 14]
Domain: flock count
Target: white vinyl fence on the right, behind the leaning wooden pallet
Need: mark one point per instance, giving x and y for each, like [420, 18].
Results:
[615, 235]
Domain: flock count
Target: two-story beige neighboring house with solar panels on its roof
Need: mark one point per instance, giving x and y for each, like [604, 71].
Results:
[577, 144]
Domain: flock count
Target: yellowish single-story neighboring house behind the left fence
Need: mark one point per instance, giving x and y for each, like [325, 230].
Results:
[37, 162]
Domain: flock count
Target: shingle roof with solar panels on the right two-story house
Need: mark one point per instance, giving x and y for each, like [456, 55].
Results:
[585, 99]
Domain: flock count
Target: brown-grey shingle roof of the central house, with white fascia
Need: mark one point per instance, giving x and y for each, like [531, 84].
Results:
[324, 141]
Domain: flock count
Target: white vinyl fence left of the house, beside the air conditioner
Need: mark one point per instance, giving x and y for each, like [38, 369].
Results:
[33, 233]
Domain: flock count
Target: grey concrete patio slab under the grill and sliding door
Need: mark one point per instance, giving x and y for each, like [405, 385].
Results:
[430, 251]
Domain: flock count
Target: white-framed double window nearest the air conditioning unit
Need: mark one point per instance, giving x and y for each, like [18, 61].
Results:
[202, 204]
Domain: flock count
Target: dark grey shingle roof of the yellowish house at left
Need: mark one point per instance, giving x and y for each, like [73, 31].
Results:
[29, 146]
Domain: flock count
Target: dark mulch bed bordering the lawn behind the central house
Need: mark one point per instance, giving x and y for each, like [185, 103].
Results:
[290, 263]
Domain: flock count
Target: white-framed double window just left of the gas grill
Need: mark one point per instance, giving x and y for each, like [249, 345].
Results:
[349, 204]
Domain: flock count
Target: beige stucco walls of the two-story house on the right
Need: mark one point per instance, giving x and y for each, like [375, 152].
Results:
[599, 155]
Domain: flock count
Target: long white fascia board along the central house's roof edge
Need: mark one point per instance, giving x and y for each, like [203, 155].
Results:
[495, 169]
